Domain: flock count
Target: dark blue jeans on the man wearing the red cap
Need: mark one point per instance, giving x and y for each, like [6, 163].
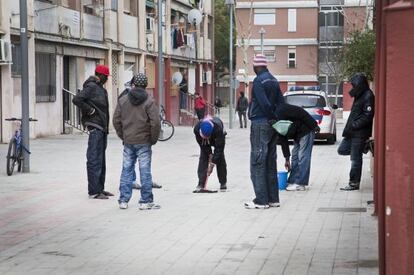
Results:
[95, 164]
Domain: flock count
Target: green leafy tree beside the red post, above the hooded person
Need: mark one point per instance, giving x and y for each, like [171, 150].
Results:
[359, 54]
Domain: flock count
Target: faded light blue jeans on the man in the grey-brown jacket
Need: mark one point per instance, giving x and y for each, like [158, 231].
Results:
[143, 153]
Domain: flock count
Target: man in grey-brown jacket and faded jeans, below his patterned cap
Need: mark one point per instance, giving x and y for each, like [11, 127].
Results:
[137, 123]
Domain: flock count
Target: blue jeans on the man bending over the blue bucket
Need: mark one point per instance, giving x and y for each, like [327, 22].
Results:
[301, 160]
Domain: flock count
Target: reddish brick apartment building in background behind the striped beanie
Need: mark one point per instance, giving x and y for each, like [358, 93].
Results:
[286, 32]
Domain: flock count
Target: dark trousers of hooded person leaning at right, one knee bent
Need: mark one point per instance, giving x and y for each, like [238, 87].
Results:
[353, 147]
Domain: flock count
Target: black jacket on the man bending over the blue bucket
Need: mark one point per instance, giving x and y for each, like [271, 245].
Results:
[303, 124]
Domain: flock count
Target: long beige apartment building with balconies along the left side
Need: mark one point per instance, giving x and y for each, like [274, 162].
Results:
[67, 38]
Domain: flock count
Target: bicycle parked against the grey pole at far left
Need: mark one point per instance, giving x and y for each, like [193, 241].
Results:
[16, 147]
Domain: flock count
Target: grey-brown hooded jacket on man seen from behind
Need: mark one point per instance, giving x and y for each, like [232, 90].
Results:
[137, 118]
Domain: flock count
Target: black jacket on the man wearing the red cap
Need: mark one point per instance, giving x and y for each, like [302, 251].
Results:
[93, 102]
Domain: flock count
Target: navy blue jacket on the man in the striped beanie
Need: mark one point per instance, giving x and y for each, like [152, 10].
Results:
[266, 97]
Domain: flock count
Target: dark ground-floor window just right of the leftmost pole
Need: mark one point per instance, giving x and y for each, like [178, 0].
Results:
[45, 77]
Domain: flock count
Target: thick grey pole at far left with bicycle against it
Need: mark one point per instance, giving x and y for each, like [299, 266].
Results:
[25, 85]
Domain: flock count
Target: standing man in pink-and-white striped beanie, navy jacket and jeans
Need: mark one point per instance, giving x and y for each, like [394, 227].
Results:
[266, 98]
